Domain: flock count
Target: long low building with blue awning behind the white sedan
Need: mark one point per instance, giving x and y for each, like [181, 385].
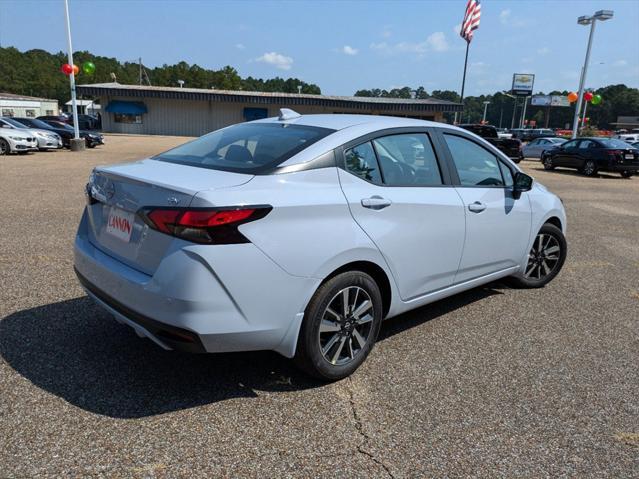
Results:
[153, 110]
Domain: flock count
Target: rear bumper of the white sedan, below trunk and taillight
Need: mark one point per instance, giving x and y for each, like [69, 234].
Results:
[200, 298]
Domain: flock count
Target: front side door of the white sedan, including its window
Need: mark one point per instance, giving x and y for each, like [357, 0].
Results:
[497, 224]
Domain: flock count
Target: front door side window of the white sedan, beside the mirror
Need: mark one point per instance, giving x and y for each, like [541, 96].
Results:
[475, 165]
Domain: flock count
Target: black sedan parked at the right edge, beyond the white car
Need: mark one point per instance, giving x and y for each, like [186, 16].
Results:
[590, 155]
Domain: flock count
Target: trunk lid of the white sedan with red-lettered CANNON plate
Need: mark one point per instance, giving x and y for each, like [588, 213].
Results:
[119, 192]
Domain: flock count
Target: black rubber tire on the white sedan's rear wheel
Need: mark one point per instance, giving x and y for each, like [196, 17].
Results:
[310, 356]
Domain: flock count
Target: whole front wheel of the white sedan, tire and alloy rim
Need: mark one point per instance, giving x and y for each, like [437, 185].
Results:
[545, 258]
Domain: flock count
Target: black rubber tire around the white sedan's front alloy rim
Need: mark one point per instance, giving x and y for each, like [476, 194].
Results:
[523, 281]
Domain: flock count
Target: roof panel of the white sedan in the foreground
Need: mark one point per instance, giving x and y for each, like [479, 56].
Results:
[340, 122]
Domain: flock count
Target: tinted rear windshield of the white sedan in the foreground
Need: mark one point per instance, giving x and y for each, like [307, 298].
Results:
[246, 148]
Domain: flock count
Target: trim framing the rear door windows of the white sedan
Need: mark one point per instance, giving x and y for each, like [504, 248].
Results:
[448, 180]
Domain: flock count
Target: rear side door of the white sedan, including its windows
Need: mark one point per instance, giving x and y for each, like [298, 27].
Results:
[401, 196]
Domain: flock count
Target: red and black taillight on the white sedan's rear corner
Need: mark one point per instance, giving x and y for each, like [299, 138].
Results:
[204, 225]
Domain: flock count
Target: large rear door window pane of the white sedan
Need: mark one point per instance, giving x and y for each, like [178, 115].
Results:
[408, 160]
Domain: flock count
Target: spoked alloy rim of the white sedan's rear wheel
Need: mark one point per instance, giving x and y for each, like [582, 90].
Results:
[346, 325]
